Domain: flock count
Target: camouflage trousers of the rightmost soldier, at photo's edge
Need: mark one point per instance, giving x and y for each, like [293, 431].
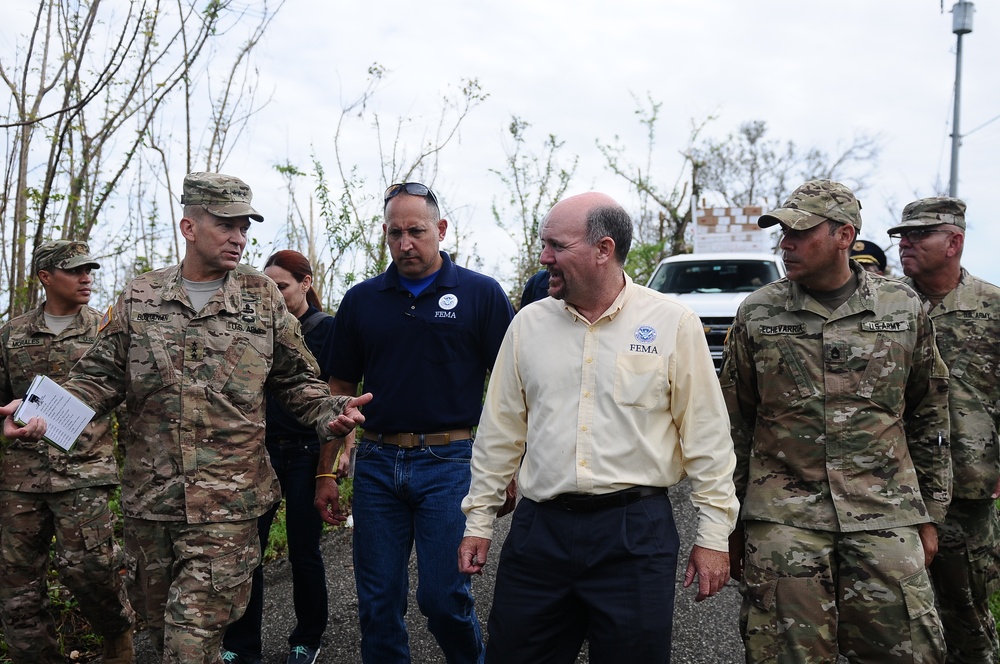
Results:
[966, 571]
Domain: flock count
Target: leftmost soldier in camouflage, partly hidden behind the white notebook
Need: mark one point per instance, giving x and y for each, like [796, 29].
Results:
[46, 492]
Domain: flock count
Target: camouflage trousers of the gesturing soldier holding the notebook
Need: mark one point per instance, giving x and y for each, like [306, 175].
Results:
[189, 581]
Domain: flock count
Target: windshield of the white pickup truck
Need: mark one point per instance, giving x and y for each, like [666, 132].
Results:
[733, 276]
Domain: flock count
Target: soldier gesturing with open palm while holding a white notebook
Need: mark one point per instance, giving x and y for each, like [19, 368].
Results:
[190, 350]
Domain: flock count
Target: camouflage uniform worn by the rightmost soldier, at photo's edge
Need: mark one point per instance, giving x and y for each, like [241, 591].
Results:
[966, 570]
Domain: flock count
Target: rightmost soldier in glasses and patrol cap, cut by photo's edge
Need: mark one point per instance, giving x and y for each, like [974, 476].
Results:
[966, 315]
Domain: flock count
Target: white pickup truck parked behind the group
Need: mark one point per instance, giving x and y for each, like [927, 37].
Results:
[714, 285]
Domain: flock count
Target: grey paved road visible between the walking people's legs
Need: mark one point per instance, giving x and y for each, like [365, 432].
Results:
[704, 633]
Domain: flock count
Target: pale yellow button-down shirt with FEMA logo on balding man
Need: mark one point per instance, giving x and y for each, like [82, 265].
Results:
[631, 399]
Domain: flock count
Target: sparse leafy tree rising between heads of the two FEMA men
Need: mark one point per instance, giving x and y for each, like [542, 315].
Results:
[534, 183]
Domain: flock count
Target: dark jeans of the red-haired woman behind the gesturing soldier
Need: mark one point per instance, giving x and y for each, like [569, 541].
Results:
[295, 464]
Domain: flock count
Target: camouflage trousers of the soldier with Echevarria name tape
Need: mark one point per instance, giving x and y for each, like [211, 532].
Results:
[809, 595]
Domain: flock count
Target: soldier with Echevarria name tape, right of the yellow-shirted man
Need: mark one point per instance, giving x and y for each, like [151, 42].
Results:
[838, 402]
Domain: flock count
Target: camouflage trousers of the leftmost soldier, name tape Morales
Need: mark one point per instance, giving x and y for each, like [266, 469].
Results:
[87, 557]
